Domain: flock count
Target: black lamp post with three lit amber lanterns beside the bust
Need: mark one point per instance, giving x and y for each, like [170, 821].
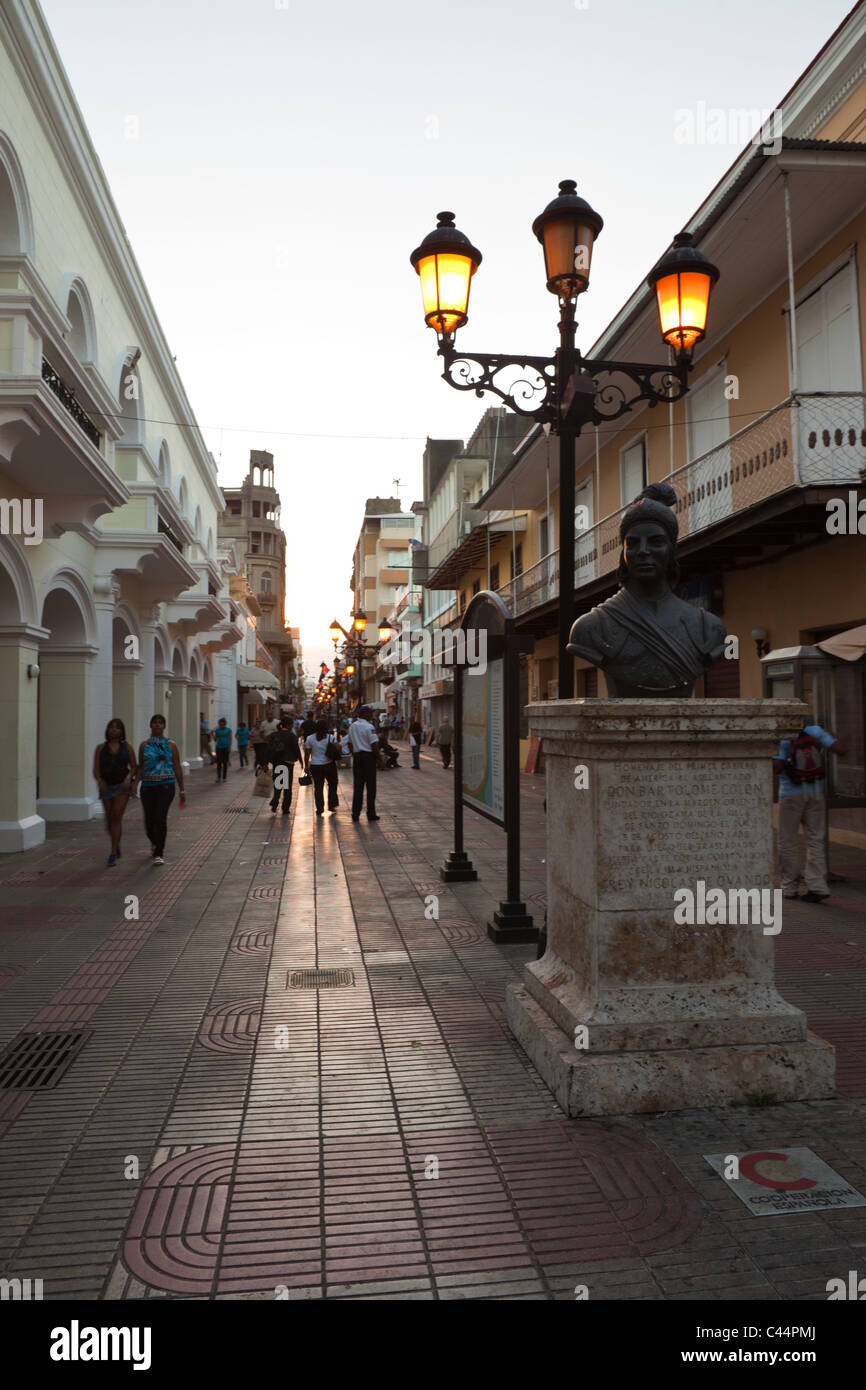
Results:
[566, 391]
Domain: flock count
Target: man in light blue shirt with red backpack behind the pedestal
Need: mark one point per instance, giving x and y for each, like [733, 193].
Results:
[803, 799]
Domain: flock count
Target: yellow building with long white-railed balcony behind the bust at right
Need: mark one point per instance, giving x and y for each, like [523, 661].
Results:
[772, 436]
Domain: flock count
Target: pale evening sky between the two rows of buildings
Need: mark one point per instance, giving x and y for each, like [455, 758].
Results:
[276, 162]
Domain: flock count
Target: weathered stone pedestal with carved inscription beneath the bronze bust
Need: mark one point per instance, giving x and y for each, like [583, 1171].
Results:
[647, 799]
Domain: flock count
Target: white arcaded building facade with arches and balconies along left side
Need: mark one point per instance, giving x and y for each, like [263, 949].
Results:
[112, 600]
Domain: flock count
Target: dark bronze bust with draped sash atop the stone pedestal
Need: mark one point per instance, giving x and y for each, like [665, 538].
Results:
[650, 643]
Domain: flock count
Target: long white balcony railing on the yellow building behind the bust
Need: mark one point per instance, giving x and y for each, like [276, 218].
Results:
[808, 441]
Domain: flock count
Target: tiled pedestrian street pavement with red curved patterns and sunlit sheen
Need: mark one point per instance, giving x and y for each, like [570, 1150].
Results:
[224, 1135]
